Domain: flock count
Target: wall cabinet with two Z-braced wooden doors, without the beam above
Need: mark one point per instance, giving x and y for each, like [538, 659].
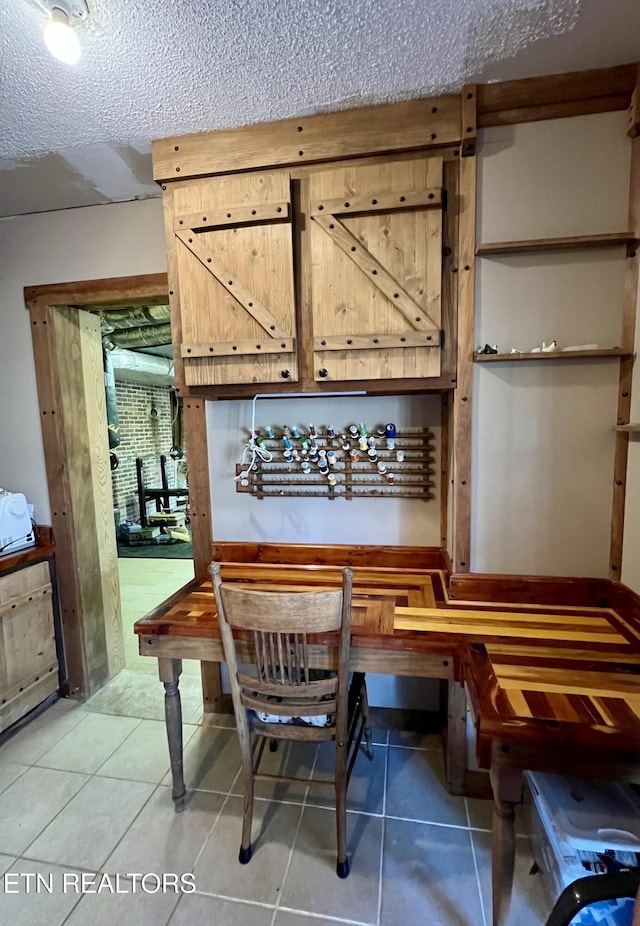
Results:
[330, 273]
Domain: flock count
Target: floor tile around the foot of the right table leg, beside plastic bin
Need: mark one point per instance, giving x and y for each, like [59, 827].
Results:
[529, 904]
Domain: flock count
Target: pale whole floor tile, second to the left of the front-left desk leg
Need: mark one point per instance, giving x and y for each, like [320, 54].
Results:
[89, 743]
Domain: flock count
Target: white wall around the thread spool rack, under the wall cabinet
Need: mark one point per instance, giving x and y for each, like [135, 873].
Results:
[238, 516]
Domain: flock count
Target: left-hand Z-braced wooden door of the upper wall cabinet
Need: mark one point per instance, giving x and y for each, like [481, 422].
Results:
[235, 274]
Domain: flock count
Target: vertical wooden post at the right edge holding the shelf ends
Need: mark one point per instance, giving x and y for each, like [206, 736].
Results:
[627, 342]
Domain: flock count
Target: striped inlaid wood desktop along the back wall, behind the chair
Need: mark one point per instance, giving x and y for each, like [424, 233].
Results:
[404, 609]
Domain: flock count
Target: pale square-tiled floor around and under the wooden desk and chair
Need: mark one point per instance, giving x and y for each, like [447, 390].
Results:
[84, 790]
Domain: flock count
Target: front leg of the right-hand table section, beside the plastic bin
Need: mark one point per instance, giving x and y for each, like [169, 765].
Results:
[507, 792]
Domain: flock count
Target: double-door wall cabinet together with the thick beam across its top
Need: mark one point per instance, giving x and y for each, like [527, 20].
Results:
[309, 253]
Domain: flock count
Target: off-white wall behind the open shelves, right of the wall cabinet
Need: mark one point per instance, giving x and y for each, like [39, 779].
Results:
[543, 439]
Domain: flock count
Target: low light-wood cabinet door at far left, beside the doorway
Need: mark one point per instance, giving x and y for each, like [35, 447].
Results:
[28, 662]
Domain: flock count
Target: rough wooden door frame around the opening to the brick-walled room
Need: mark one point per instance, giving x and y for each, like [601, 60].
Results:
[79, 581]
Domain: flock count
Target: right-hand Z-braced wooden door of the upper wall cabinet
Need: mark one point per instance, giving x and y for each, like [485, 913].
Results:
[376, 268]
